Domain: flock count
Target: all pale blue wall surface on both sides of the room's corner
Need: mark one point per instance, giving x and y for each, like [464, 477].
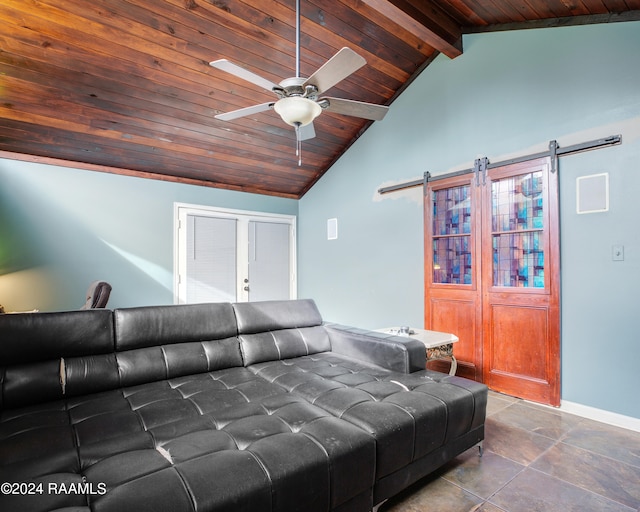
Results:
[508, 94]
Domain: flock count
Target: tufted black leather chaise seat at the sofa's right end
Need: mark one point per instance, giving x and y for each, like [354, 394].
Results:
[410, 415]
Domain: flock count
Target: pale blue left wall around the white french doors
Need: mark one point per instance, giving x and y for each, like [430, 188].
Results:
[61, 228]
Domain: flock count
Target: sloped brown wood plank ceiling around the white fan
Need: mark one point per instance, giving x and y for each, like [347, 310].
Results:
[124, 86]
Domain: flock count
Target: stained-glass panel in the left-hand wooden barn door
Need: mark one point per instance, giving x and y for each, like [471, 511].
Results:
[452, 262]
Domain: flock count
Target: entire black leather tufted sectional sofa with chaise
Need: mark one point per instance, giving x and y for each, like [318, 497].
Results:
[219, 407]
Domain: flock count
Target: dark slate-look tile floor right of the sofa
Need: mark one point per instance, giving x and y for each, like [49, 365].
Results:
[536, 459]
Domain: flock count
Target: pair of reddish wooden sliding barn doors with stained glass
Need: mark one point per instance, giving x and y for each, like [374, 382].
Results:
[499, 291]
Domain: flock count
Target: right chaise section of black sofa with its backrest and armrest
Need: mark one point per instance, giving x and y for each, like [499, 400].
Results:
[420, 419]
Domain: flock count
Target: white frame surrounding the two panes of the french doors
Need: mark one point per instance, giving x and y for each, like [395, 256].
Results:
[180, 212]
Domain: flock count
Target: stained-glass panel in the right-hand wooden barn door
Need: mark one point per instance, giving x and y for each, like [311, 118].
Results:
[517, 224]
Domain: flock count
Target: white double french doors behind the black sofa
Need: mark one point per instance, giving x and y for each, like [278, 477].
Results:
[233, 256]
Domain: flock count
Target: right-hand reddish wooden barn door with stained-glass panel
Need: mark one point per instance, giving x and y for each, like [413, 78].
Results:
[520, 278]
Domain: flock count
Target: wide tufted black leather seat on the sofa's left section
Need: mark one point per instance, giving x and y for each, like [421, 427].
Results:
[223, 440]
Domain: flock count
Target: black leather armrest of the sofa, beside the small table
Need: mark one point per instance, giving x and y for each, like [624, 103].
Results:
[395, 353]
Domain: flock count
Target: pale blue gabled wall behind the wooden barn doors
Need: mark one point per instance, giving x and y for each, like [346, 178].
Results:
[509, 94]
